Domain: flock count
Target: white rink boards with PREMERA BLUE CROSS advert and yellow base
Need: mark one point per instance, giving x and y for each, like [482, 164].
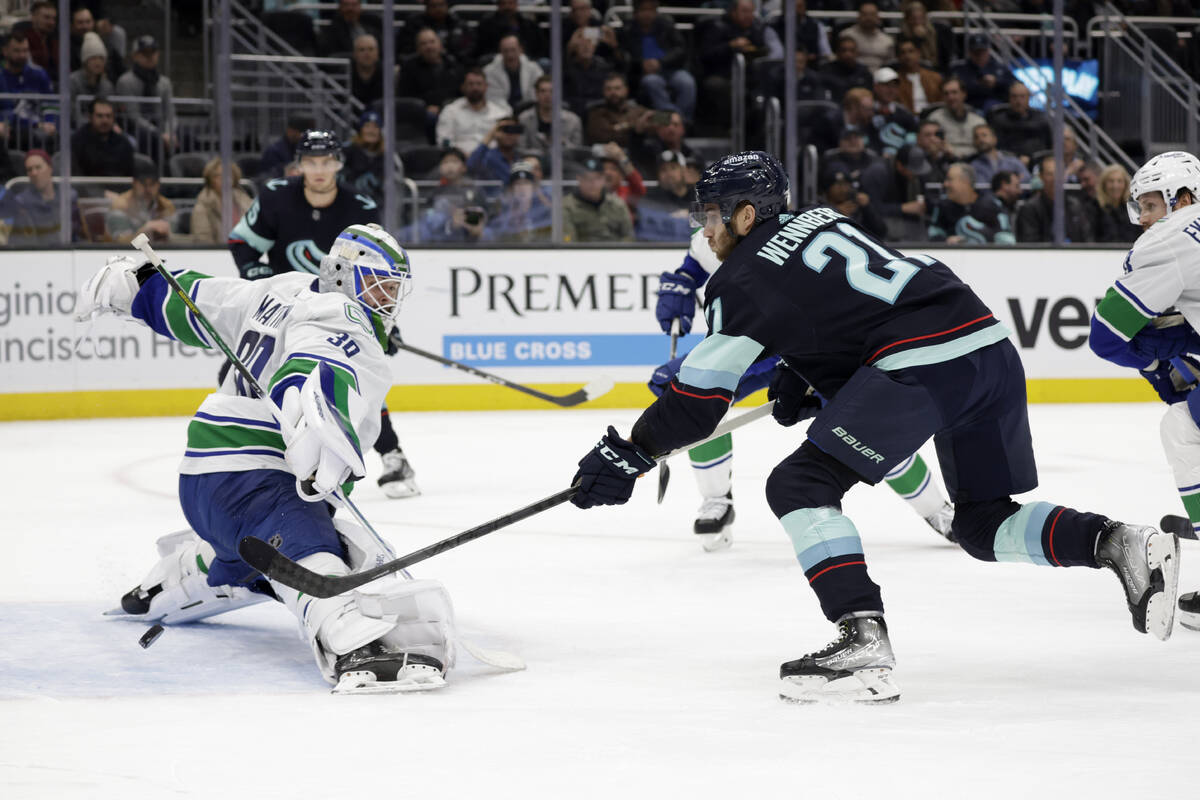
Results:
[550, 320]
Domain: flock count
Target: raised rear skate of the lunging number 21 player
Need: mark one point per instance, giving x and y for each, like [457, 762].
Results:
[1148, 562]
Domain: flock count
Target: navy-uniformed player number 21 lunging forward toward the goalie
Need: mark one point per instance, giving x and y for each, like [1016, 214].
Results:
[904, 352]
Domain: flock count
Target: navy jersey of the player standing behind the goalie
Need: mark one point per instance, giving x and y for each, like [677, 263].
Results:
[293, 234]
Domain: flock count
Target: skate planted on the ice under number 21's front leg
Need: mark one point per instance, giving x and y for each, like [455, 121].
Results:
[854, 669]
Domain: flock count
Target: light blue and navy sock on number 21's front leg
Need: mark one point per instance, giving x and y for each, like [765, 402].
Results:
[830, 551]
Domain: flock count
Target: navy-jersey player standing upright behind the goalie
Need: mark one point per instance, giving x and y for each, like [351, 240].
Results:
[295, 222]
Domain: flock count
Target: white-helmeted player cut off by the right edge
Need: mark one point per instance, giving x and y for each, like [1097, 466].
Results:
[1139, 324]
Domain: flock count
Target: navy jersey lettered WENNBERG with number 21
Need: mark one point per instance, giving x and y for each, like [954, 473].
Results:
[819, 291]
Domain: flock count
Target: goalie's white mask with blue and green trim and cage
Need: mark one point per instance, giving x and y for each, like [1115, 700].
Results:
[368, 264]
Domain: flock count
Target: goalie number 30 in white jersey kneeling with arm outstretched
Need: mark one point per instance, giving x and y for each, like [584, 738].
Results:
[316, 345]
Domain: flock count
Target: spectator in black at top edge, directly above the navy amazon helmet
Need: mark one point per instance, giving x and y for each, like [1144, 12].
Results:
[739, 32]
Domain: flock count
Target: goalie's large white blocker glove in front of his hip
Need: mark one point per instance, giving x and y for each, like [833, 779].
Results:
[319, 447]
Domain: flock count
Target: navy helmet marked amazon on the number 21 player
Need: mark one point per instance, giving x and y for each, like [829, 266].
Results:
[753, 177]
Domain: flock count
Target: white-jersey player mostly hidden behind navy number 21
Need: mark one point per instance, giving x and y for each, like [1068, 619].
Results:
[713, 462]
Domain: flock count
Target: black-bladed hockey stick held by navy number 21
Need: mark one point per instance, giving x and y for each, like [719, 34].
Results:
[280, 568]
